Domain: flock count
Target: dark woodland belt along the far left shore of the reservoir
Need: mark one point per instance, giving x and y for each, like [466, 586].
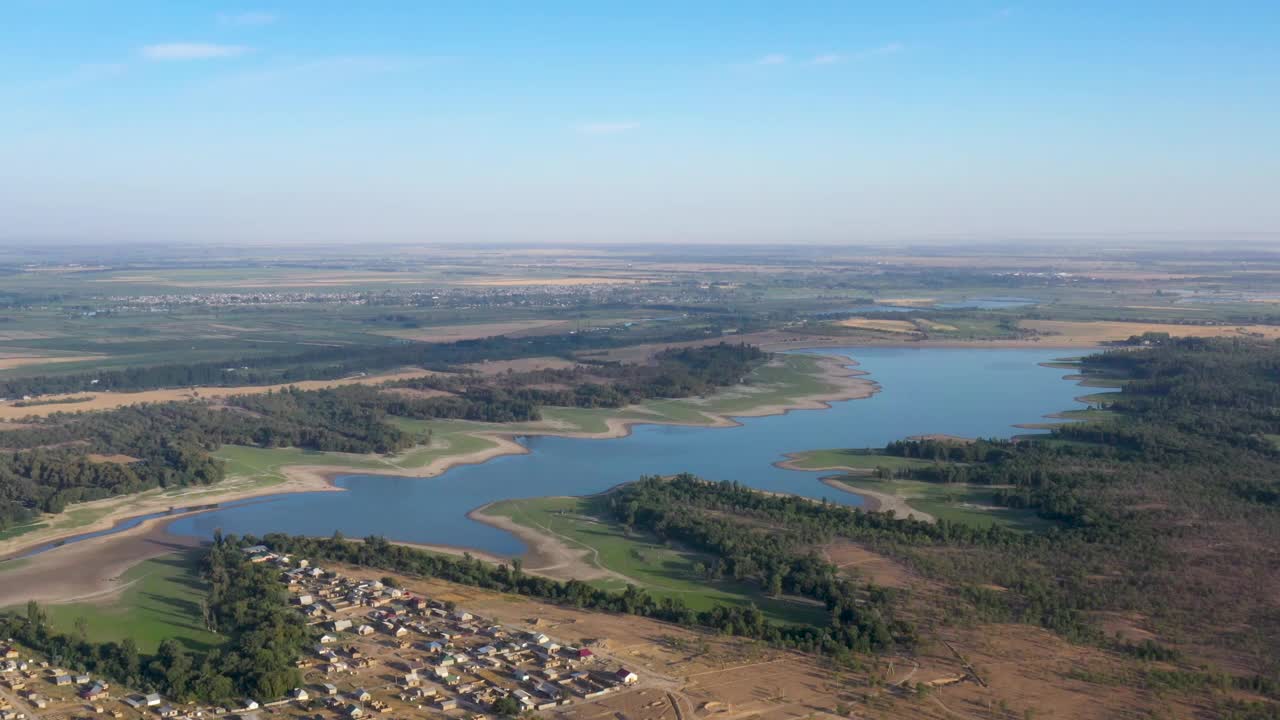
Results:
[51, 463]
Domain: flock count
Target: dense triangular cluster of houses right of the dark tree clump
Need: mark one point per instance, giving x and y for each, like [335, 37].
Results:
[383, 646]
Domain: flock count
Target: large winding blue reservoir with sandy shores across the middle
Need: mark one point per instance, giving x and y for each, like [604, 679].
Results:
[956, 391]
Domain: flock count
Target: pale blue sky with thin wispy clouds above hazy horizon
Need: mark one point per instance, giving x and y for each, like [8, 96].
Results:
[624, 121]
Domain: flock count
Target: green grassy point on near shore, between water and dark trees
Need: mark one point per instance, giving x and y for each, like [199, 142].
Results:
[662, 571]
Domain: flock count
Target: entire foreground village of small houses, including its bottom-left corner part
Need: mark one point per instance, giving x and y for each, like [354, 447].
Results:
[378, 651]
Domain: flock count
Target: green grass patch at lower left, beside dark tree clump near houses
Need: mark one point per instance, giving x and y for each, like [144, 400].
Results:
[162, 600]
